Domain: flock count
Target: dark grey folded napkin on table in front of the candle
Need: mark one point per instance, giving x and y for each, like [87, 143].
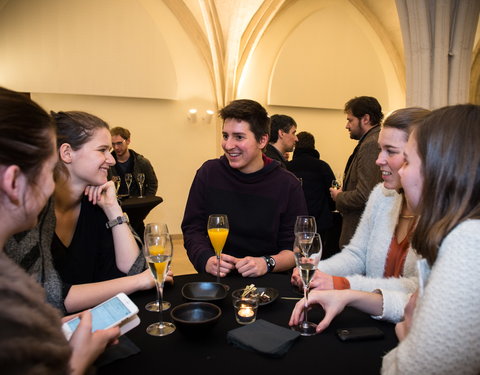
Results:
[264, 337]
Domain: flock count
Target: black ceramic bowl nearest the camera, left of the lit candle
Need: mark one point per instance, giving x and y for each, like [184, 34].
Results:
[195, 317]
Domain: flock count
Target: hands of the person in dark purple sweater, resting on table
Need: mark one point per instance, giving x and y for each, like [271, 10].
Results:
[247, 267]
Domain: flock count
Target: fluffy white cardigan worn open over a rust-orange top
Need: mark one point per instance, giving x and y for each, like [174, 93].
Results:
[363, 260]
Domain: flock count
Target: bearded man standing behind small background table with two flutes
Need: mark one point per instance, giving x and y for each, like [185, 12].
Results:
[129, 161]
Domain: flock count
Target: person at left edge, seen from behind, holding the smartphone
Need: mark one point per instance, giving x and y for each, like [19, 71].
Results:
[31, 337]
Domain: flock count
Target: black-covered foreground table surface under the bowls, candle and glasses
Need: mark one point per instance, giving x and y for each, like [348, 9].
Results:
[211, 354]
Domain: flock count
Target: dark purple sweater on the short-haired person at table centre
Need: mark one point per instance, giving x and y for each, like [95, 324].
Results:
[262, 208]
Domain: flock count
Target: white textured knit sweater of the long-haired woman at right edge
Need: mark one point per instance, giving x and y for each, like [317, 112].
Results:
[444, 337]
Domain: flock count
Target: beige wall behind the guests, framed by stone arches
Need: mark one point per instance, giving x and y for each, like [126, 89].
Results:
[131, 63]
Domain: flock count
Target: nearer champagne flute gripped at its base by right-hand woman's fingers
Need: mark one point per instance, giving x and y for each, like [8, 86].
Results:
[307, 264]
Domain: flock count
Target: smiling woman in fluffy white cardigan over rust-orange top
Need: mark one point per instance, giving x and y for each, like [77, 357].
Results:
[379, 254]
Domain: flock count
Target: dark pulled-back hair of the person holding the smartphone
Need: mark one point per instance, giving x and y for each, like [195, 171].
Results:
[27, 132]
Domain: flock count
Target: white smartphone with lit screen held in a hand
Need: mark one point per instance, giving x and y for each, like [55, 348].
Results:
[118, 310]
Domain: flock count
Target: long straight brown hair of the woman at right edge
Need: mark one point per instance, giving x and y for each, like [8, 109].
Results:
[448, 144]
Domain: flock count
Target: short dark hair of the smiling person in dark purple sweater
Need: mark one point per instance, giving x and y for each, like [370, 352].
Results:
[251, 112]
